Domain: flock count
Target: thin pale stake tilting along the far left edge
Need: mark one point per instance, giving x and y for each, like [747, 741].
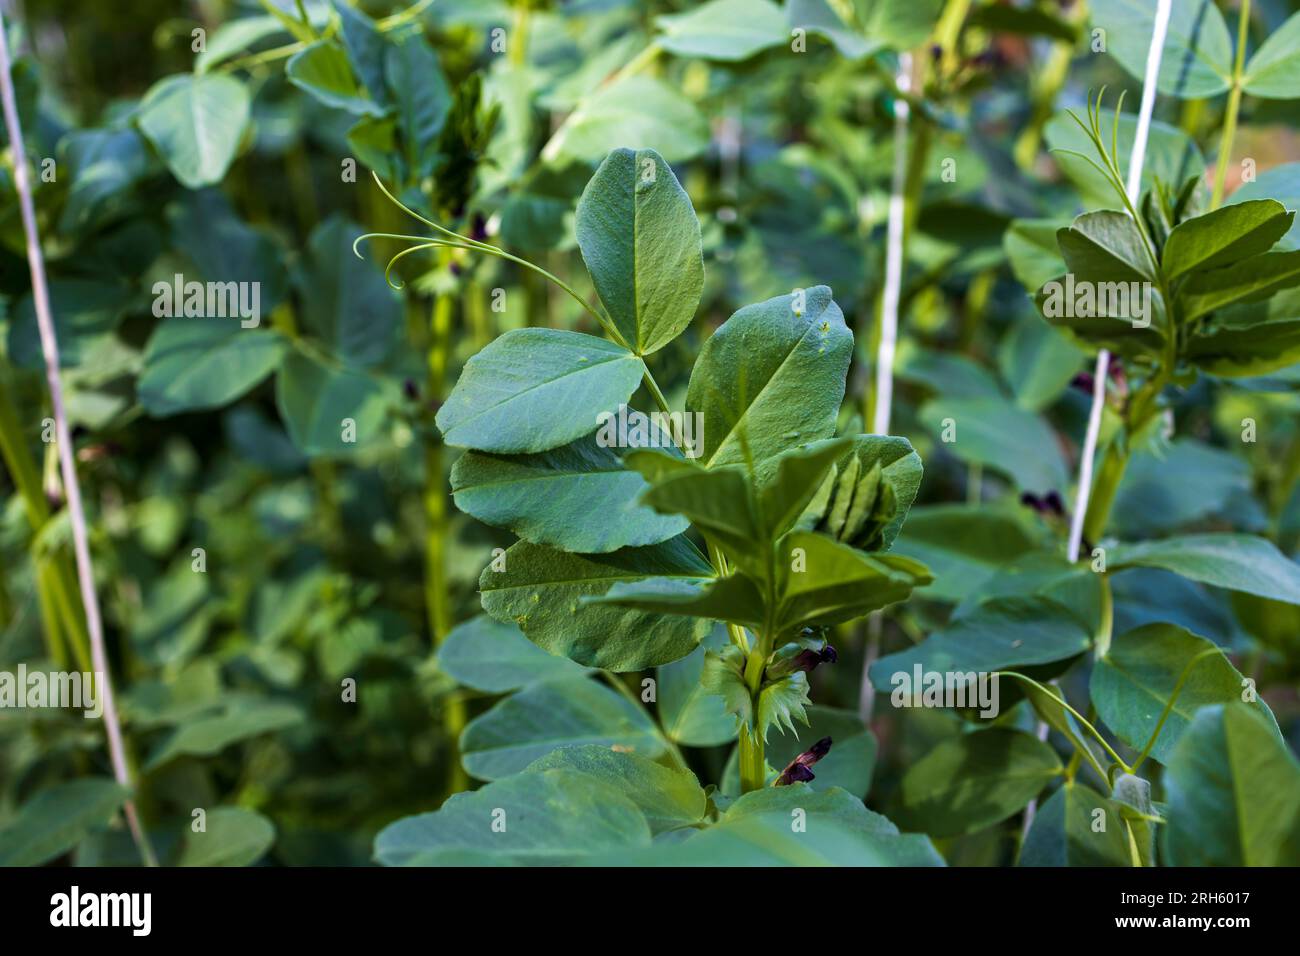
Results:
[81, 542]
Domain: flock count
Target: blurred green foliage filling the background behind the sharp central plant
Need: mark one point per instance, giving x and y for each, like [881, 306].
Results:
[328, 560]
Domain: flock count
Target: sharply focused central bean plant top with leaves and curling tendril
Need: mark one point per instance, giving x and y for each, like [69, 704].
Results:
[634, 547]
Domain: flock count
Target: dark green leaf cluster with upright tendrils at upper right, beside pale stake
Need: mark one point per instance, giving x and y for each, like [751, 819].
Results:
[1206, 270]
